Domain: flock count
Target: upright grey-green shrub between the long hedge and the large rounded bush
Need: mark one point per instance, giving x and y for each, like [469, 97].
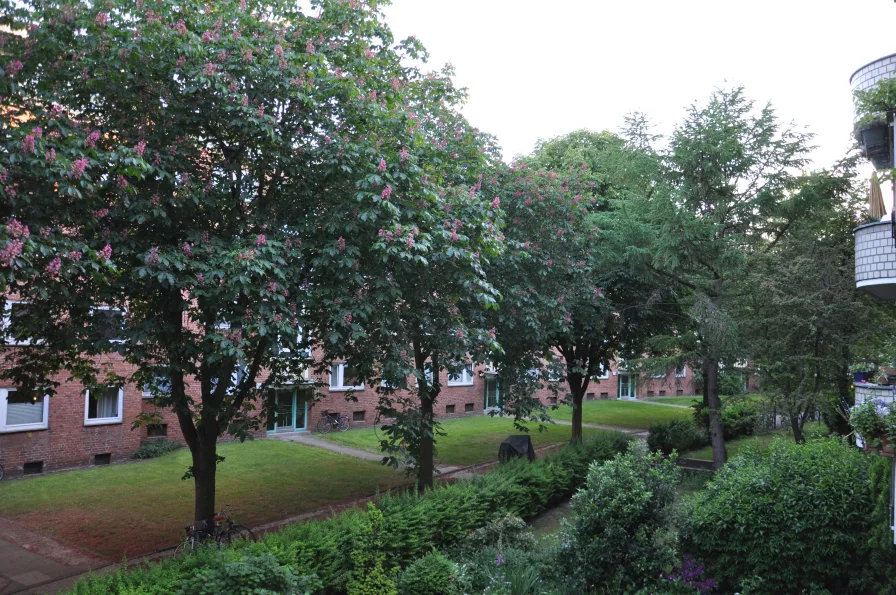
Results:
[620, 537]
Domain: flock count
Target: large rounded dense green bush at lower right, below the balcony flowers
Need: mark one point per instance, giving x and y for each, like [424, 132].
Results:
[795, 518]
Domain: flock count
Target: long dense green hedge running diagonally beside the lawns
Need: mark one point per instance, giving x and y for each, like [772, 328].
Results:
[411, 525]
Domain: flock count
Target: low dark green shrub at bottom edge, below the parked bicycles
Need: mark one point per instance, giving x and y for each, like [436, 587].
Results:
[250, 574]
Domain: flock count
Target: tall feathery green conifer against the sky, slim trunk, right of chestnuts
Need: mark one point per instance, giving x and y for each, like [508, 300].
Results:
[726, 186]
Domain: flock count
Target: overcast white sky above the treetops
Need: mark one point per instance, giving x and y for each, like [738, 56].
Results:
[541, 69]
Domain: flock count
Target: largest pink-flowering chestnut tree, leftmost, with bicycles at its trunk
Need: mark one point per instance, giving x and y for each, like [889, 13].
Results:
[197, 166]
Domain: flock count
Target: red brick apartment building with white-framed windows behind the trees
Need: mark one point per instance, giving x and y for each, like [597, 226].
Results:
[77, 428]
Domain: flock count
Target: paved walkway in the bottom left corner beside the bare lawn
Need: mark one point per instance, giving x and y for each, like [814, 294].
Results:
[29, 560]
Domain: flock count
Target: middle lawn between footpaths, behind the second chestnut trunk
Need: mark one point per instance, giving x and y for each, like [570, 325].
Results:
[469, 440]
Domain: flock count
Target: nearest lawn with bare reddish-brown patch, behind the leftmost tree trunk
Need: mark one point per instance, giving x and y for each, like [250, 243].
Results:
[130, 509]
